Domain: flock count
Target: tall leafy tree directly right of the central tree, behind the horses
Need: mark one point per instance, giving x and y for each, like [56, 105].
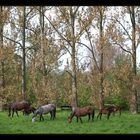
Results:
[98, 43]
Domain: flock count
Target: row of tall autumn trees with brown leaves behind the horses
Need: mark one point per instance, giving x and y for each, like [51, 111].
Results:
[33, 41]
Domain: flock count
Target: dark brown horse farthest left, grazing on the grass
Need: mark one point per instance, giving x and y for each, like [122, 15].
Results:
[18, 106]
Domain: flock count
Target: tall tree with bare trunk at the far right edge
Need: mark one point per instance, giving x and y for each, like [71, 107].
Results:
[128, 33]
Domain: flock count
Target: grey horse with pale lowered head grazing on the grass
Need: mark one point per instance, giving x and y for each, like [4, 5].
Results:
[49, 108]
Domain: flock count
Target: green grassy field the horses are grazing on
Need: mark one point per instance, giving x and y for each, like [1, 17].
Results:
[126, 124]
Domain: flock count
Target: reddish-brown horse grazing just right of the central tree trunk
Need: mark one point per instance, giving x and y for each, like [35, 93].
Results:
[80, 112]
